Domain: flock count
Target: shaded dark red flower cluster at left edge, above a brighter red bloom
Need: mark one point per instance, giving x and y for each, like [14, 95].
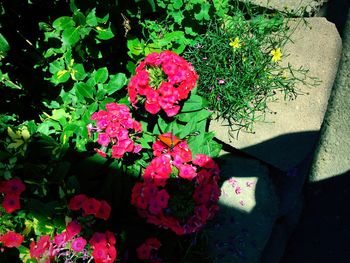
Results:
[12, 190]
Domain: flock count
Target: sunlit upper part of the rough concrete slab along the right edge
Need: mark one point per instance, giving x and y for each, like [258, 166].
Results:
[333, 154]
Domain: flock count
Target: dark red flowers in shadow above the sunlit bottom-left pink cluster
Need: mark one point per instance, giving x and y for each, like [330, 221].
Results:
[90, 206]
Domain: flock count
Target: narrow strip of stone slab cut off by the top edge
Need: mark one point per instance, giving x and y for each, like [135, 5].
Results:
[294, 6]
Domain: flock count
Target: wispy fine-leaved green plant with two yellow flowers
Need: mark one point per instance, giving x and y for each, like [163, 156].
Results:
[239, 64]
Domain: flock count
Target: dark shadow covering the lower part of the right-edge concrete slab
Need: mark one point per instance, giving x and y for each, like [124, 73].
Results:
[323, 234]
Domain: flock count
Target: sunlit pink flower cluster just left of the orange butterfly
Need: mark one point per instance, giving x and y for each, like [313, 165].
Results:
[115, 128]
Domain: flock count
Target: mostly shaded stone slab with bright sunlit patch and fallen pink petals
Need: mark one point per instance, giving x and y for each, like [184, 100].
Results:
[248, 209]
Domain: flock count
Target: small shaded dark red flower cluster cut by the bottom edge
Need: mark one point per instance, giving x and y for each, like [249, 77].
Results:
[148, 250]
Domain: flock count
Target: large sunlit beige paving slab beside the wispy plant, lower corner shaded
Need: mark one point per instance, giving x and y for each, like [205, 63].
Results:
[286, 138]
